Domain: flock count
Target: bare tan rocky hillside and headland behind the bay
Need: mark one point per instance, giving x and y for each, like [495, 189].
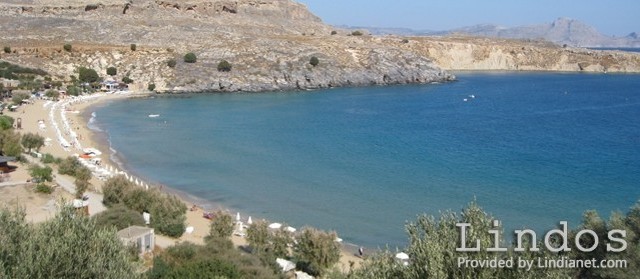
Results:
[268, 42]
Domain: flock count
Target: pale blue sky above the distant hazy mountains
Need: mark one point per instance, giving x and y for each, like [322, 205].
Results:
[614, 17]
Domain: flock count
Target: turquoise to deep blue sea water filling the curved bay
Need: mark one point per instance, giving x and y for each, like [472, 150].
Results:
[532, 148]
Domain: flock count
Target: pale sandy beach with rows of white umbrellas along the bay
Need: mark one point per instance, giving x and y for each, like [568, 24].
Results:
[67, 133]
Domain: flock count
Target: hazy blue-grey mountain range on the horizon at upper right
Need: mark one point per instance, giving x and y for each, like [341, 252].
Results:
[562, 31]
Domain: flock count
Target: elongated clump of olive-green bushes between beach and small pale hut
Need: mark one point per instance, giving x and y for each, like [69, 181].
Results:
[167, 211]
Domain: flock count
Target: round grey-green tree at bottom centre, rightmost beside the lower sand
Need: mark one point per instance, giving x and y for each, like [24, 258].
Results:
[316, 251]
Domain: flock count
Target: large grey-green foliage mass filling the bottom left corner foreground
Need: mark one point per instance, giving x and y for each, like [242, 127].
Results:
[67, 246]
